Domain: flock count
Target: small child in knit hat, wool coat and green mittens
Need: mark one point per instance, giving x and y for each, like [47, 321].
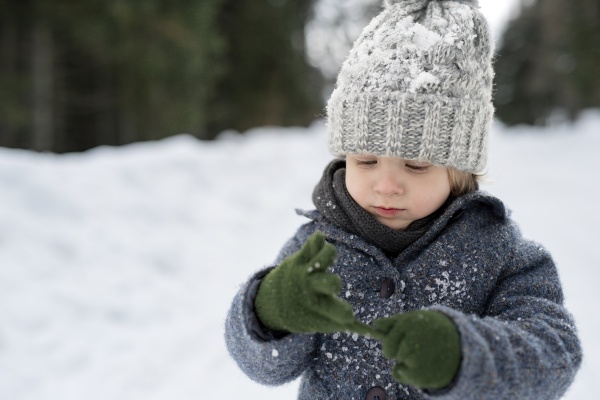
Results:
[439, 295]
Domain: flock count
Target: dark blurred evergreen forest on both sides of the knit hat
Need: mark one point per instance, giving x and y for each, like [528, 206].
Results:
[78, 74]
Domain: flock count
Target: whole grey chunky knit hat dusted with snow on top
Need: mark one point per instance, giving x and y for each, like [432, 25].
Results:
[417, 84]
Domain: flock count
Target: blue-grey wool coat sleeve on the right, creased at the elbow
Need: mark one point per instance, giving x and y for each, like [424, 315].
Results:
[525, 345]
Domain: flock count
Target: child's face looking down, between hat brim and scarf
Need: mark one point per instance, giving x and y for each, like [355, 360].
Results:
[394, 190]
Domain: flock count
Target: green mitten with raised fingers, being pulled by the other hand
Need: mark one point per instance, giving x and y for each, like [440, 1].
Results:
[299, 295]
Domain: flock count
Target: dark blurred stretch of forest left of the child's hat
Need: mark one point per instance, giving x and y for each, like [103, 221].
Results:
[75, 75]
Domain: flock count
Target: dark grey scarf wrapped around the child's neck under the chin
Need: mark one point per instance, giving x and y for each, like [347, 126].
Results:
[335, 203]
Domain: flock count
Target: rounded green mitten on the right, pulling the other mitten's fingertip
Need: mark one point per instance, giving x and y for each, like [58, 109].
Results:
[426, 345]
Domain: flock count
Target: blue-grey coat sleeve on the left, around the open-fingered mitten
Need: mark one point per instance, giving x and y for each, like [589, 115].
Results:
[269, 358]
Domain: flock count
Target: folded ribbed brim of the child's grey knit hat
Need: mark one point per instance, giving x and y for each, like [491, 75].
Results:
[441, 130]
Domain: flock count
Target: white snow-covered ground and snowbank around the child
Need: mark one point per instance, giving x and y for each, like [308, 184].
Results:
[117, 266]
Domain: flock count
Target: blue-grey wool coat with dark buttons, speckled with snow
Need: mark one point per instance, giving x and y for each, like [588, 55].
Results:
[502, 292]
